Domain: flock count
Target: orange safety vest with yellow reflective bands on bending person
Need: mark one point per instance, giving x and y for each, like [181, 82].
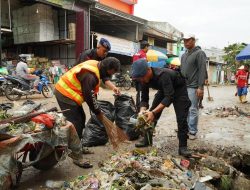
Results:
[70, 86]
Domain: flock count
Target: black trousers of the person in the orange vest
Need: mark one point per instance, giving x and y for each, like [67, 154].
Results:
[75, 115]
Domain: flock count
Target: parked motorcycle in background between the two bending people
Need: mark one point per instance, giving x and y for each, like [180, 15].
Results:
[122, 80]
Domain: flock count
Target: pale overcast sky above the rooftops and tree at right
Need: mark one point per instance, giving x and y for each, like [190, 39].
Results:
[215, 22]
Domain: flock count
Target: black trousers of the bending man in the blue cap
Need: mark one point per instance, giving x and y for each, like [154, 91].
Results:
[181, 105]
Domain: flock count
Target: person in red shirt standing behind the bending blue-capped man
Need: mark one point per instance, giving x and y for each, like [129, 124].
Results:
[142, 54]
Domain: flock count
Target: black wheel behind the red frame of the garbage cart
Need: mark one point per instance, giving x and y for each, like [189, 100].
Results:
[47, 162]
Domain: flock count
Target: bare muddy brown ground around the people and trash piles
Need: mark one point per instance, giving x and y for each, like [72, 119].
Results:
[214, 133]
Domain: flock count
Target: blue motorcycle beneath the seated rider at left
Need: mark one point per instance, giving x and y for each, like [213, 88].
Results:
[18, 87]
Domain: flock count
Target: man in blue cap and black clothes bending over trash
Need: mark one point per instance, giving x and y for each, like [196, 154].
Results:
[171, 88]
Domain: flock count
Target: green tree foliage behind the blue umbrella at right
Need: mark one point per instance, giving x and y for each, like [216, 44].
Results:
[231, 51]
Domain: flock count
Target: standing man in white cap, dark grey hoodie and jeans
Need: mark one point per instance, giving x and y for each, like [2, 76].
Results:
[193, 68]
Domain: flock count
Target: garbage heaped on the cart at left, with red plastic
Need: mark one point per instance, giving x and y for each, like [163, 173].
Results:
[27, 118]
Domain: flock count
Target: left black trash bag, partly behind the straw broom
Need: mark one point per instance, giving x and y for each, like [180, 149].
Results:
[95, 133]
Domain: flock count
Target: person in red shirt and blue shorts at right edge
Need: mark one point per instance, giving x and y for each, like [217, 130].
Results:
[242, 77]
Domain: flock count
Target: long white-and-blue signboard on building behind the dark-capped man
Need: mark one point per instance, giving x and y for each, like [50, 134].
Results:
[120, 46]
